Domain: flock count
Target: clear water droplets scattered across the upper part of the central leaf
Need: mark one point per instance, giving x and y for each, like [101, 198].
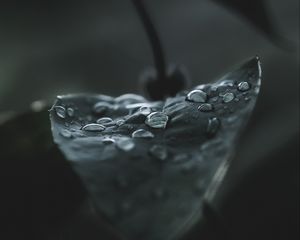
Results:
[153, 119]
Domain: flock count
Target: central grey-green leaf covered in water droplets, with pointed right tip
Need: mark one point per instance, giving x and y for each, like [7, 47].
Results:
[148, 166]
